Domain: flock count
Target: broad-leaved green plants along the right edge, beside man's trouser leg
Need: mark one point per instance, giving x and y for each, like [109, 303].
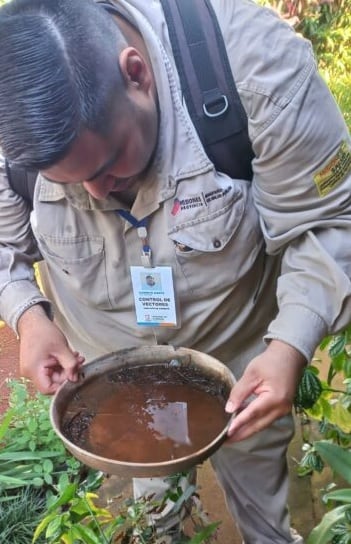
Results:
[328, 402]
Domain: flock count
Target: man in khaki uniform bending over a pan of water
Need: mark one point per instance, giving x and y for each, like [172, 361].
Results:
[93, 102]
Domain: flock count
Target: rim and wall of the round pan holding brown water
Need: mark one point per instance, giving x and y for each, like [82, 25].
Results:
[141, 356]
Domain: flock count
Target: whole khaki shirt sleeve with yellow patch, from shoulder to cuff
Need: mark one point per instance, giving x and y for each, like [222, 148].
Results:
[302, 183]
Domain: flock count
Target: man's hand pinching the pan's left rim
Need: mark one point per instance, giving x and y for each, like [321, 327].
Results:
[45, 356]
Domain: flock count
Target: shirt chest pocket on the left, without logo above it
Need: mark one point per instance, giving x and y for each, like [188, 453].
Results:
[78, 264]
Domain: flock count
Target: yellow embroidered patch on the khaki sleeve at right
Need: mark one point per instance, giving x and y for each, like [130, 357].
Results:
[334, 172]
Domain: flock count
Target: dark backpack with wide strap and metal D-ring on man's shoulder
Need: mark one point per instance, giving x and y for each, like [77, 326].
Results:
[208, 87]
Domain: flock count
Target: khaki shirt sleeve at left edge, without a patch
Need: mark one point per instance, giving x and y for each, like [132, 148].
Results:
[18, 253]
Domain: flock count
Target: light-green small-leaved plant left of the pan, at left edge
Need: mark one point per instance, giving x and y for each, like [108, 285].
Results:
[31, 454]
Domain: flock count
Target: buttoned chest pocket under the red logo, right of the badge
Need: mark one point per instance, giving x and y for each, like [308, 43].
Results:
[214, 253]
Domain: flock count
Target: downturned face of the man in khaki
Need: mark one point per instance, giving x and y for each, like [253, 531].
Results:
[112, 164]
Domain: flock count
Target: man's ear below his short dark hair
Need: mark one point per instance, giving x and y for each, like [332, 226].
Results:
[135, 70]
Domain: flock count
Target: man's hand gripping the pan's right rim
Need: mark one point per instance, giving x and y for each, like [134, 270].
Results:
[272, 378]
